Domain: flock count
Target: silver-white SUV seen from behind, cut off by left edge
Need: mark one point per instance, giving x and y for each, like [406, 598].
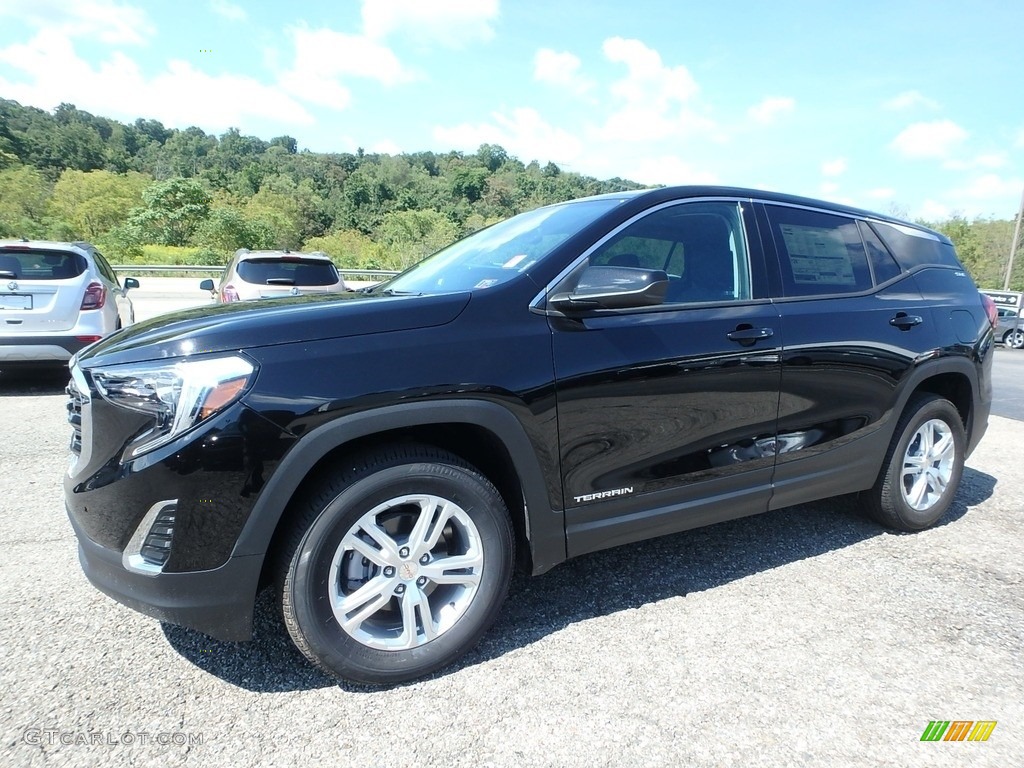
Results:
[57, 298]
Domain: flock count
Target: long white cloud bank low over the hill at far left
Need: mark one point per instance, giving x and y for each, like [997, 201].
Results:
[180, 96]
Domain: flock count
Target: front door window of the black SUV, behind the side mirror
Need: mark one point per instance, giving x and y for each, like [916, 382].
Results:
[701, 246]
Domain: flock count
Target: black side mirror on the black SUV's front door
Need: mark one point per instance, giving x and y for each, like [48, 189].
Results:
[614, 288]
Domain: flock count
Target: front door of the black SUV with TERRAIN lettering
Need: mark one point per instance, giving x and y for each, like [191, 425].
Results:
[660, 411]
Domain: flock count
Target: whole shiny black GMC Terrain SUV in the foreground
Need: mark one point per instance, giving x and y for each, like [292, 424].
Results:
[578, 377]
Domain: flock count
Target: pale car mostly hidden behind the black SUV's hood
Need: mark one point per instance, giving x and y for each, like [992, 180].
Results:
[273, 275]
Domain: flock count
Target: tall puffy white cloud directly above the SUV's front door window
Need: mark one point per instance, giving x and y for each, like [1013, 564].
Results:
[655, 100]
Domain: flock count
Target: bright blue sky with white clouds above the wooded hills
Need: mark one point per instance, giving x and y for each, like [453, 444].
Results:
[895, 106]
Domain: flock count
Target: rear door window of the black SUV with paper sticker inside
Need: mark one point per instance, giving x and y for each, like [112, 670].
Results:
[820, 253]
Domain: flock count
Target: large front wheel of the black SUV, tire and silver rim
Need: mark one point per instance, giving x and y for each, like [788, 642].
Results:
[366, 510]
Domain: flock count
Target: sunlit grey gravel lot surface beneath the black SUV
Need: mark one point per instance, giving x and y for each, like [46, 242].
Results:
[801, 637]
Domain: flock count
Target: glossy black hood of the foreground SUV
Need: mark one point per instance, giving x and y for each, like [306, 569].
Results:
[248, 325]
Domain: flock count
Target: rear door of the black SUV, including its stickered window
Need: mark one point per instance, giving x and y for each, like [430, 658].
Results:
[847, 348]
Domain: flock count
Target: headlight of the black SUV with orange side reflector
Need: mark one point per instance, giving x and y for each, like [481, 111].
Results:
[178, 396]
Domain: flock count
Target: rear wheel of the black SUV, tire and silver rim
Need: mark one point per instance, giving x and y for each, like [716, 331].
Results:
[897, 500]
